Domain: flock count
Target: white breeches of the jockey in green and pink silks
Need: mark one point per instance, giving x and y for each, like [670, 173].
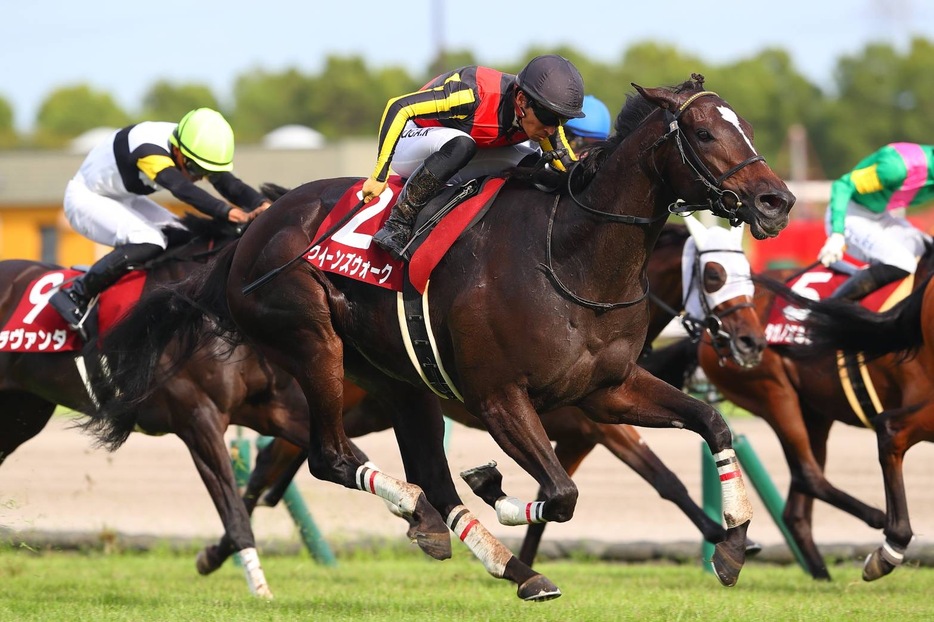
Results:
[882, 238]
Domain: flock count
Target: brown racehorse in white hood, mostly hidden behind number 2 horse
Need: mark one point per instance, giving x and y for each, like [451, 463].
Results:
[717, 302]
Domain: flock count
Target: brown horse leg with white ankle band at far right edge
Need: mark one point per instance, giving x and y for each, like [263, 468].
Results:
[896, 434]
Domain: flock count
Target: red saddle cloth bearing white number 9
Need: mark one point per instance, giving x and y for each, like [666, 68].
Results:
[34, 326]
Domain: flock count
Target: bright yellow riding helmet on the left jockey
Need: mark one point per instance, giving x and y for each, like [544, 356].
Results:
[205, 137]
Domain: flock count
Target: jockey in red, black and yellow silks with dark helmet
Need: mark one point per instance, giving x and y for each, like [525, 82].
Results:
[467, 123]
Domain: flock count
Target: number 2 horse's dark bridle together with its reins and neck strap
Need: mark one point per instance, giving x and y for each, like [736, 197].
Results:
[715, 195]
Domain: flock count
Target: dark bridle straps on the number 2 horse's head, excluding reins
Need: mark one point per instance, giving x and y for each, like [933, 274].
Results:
[714, 184]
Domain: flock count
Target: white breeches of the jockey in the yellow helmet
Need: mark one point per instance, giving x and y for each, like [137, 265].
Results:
[115, 221]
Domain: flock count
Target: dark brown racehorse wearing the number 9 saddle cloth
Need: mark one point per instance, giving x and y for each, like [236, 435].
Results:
[200, 400]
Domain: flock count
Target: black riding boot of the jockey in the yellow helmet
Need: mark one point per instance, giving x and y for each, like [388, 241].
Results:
[72, 303]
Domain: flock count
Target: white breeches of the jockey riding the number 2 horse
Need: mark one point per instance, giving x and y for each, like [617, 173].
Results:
[417, 143]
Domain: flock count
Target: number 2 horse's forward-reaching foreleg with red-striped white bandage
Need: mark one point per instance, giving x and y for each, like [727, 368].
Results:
[647, 401]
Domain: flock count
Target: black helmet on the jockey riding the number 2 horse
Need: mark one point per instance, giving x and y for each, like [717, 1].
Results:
[555, 83]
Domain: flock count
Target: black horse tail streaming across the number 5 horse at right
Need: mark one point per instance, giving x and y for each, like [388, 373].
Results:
[834, 324]
